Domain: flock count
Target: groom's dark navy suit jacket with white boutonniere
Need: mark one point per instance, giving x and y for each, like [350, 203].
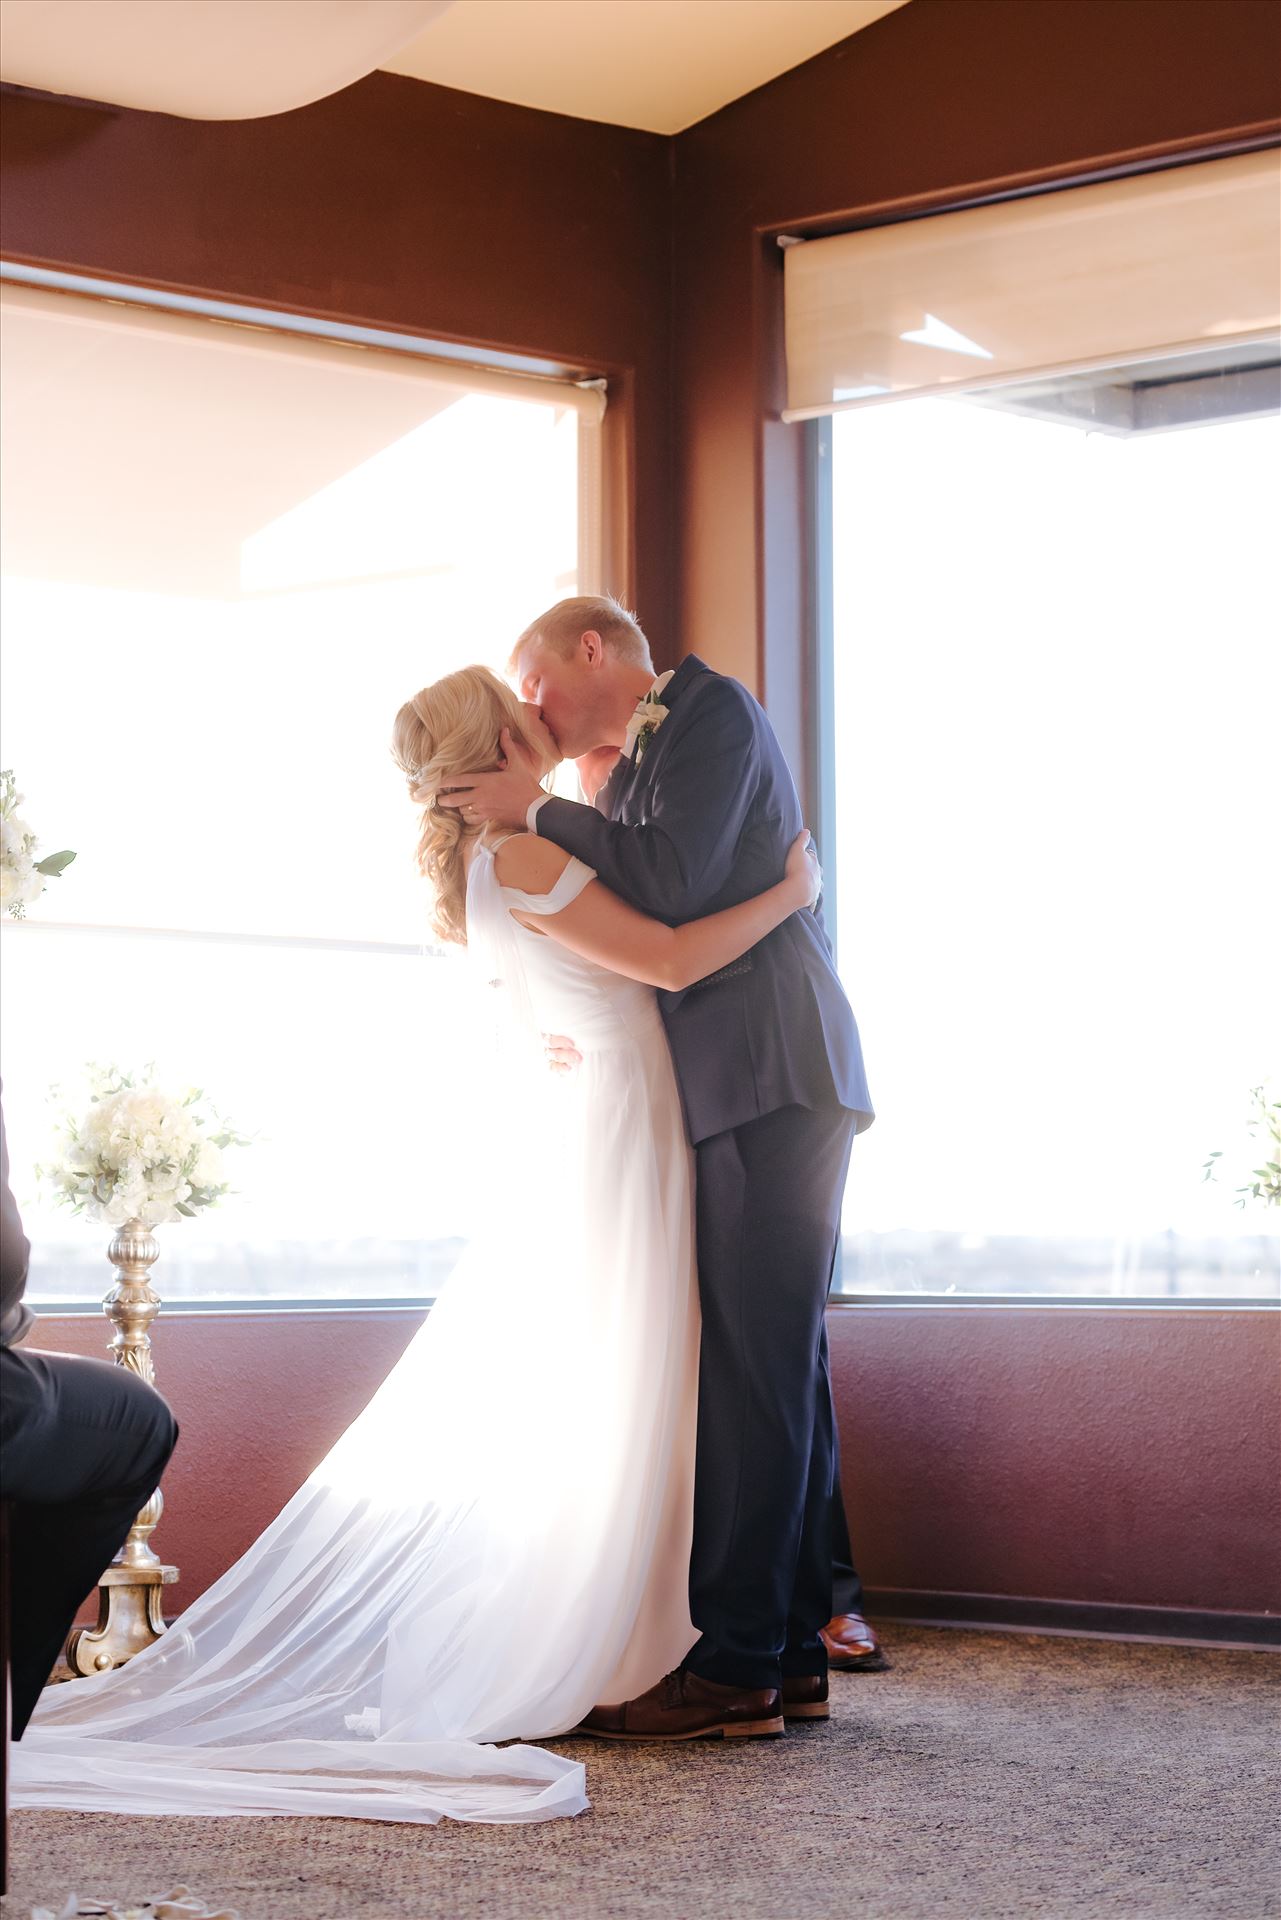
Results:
[702, 821]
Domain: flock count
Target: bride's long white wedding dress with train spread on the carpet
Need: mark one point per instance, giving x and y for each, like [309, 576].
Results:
[502, 1537]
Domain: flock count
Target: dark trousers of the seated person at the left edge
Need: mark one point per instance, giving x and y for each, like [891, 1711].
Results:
[82, 1449]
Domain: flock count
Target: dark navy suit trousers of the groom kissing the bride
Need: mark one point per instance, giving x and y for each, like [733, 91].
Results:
[769, 1214]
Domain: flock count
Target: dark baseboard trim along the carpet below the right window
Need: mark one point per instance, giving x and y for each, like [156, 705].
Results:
[1098, 1620]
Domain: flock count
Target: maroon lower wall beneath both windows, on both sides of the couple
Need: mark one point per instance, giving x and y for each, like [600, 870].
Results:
[1101, 1456]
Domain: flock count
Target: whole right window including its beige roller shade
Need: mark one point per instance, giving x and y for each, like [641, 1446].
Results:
[1050, 679]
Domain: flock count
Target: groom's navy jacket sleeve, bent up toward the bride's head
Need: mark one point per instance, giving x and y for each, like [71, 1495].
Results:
[683, 857]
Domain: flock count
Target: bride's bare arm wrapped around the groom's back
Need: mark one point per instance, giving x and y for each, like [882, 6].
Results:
[604, 928]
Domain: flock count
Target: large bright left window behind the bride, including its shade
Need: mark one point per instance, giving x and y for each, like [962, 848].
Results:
[230, 556]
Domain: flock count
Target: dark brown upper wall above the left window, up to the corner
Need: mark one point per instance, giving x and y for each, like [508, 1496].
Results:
[393, 204]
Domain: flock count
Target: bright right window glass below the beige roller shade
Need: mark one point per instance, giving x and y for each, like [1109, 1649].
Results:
[1057, 683]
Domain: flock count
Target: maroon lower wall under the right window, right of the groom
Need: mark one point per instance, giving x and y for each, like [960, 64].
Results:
[1088, 1454]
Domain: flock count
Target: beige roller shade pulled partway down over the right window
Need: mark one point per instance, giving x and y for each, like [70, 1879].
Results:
[1169, 262]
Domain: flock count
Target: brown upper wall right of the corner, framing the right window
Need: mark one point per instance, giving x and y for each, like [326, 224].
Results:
[936, 105]
